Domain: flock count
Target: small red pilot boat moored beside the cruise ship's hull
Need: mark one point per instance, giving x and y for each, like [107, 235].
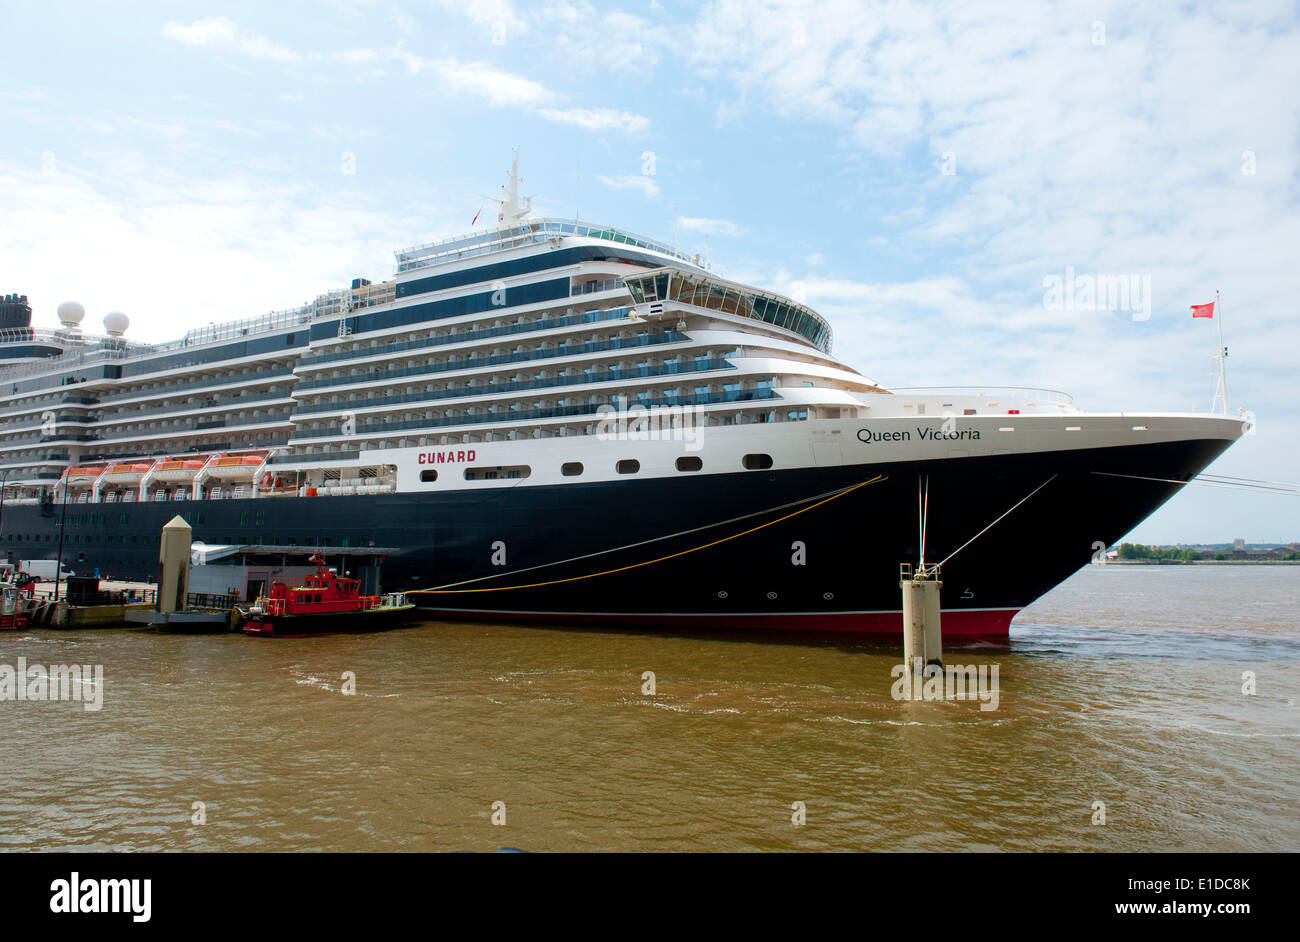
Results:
[324, 604]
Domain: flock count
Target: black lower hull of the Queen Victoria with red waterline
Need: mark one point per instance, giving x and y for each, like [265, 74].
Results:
[709, 578]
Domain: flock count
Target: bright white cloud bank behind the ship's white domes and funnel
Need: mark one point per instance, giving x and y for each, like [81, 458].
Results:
[278, 242]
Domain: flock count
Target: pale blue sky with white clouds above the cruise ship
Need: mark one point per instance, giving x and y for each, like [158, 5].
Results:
[917, 172]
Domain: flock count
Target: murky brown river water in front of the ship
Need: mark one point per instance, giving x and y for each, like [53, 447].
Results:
[1123, 687]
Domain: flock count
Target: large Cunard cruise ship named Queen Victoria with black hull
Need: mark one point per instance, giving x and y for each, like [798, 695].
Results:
[564, 423]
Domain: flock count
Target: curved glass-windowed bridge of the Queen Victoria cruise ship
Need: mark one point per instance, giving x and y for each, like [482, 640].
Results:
[686, 286]
